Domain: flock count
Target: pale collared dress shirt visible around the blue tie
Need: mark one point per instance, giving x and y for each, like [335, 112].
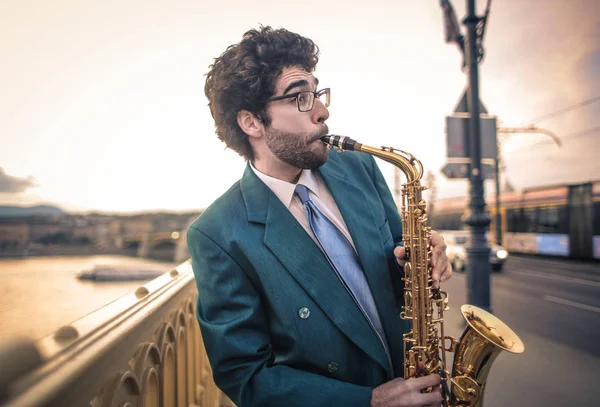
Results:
[318, 193]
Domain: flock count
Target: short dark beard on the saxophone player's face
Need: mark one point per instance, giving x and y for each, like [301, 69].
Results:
[300, 150]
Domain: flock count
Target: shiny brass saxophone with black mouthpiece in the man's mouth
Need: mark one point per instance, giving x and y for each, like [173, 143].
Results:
[425, 344]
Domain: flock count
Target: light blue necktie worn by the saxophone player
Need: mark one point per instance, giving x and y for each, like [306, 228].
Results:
[344, 260]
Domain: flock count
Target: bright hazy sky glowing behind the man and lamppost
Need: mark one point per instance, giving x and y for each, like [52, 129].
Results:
[102, 105]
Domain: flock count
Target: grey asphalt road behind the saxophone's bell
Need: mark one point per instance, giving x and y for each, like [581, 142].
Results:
[554, 307]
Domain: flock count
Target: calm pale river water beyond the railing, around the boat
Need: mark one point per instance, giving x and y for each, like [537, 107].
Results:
[40, 294]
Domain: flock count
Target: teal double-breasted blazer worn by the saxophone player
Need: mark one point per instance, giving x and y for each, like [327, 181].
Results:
[278, 326]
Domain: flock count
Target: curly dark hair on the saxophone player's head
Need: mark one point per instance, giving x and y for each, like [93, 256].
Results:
[244, 77]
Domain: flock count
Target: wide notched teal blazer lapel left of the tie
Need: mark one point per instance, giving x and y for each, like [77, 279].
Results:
[303, 259]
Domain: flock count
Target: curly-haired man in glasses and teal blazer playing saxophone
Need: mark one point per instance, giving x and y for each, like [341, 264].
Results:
[287, 320]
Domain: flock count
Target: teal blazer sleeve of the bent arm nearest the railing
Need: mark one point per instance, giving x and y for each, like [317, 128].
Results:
[235, 332]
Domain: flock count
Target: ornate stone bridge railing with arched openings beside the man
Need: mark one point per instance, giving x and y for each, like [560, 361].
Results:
[144, 349]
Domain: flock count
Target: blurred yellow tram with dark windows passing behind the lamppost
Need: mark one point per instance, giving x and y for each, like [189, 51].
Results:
[559, 220]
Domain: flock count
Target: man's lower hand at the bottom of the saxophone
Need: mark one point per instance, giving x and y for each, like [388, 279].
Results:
[407, 393]
